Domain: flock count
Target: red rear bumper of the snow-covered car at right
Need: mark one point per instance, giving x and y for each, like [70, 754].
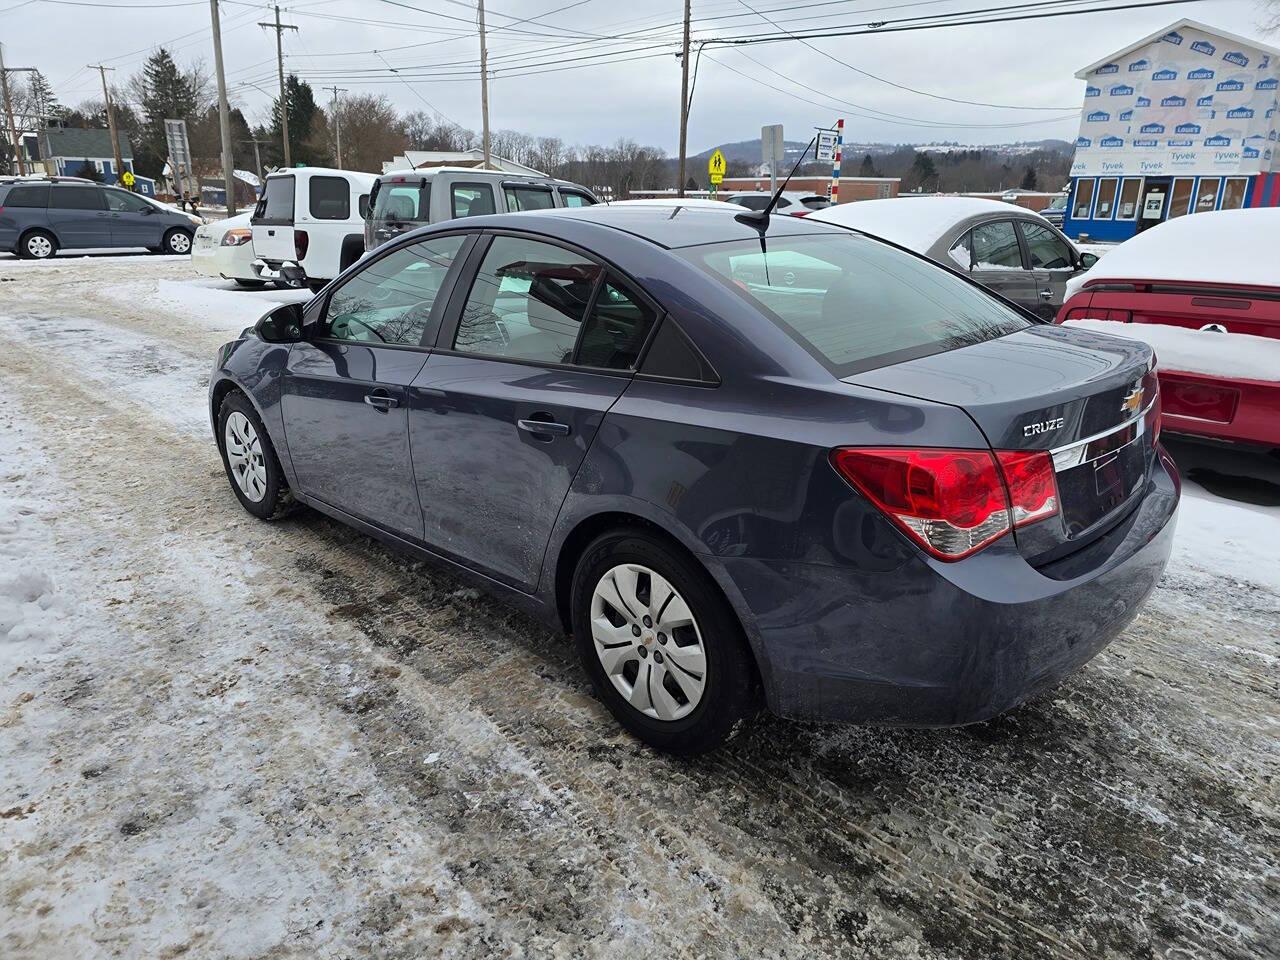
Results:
[1244, 412]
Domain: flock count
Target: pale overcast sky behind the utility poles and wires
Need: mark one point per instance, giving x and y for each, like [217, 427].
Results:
[1016, 65]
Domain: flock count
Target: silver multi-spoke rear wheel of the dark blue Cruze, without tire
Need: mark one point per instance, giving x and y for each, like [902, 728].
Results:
[648, 642]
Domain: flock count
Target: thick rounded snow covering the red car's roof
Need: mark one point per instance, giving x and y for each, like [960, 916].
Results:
[1228, 246]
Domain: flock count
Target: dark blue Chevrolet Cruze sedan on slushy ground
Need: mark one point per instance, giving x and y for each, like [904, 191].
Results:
[738, 461]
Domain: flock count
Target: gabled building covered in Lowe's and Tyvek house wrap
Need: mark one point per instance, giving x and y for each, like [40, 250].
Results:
[1178, 124]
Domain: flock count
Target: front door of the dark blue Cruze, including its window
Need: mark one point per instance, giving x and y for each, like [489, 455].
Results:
[345, 390]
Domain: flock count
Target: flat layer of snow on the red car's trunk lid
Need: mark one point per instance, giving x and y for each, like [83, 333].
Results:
[1238, 356]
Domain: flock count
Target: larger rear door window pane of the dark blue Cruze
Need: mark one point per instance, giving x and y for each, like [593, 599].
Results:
[528, 303]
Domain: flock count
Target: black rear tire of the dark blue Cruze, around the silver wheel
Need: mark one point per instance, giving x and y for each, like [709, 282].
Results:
[732, 685]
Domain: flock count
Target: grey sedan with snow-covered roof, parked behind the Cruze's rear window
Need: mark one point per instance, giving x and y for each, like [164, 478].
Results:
[1008, 249]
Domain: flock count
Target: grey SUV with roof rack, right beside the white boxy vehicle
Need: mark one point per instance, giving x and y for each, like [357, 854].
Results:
[405, 200]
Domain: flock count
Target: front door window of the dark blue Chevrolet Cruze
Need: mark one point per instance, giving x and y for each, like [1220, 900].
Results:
[391, 300]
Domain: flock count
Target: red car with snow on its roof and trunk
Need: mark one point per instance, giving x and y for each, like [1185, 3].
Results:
[1204, 292]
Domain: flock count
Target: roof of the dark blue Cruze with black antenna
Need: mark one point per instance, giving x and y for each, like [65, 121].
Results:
[673, 226]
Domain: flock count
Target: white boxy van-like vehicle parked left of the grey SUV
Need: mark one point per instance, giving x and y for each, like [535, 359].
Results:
[310, 218]
